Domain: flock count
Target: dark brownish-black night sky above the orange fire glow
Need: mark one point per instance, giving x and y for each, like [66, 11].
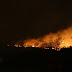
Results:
[32, 19]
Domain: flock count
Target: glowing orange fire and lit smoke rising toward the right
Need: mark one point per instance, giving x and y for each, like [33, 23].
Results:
[60, 39]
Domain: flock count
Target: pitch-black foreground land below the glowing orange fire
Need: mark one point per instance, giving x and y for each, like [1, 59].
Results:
[34, 60]
